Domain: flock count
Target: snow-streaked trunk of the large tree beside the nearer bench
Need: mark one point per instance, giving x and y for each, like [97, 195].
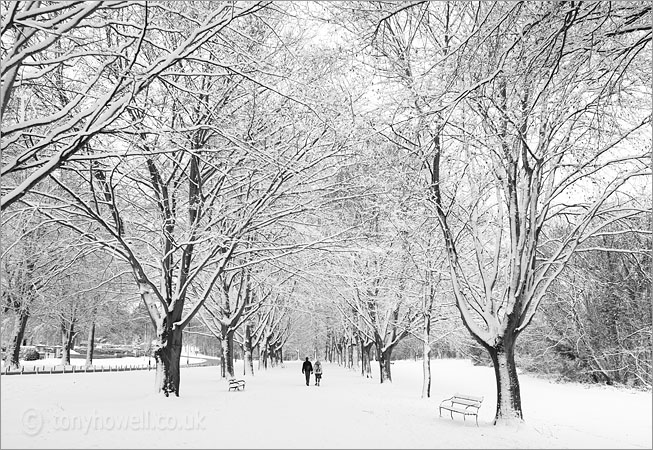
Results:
[508, 394]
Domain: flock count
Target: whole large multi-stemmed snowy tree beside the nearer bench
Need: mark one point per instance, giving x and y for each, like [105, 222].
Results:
[501, 104]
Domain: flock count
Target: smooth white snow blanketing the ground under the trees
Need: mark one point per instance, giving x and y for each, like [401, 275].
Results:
[277, 410]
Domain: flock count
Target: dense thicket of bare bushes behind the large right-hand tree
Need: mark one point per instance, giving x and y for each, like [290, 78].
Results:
[599, 328]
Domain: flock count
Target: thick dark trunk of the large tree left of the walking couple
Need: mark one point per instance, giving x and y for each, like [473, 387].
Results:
[167, 356]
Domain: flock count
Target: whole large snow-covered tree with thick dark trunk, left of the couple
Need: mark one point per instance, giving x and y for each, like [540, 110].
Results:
[198, 162]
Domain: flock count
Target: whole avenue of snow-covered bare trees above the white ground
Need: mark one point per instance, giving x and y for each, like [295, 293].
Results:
[354, 181]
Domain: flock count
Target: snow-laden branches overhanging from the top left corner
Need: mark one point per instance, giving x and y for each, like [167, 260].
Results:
[101, 69]
